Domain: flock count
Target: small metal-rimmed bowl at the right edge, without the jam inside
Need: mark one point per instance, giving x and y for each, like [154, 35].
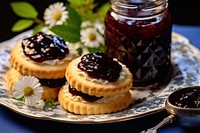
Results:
[187, 116]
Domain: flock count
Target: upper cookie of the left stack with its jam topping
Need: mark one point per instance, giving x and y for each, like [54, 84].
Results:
[43, 56]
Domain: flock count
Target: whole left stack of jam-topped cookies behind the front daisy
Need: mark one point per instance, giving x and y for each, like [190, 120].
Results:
[43, 56]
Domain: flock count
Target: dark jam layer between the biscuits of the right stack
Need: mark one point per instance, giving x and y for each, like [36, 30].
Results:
[86, 97]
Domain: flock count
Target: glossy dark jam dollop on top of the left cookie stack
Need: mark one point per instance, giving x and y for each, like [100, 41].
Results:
[43, 47]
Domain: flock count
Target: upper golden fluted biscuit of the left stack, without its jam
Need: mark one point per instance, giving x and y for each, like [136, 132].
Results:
[40, 70]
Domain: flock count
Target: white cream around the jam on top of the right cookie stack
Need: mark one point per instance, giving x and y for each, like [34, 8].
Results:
[122, 76]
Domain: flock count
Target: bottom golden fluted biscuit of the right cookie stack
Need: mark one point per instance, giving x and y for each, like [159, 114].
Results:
[102, 106]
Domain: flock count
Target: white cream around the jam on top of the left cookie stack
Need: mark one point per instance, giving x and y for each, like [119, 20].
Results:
[71, 55]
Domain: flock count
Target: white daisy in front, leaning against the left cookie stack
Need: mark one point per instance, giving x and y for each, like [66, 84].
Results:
[29, 89]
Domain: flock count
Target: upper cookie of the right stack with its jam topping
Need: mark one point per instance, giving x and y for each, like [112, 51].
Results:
[97, 74]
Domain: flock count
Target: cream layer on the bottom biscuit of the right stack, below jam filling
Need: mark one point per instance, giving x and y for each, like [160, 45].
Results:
[80, 99]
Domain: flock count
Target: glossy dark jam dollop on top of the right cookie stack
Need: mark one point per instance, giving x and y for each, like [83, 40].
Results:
[99, 65]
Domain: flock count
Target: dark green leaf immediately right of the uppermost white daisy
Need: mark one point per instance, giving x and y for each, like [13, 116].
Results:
[74, 17]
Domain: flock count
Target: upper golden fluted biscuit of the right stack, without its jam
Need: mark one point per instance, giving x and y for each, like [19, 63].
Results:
[78, 79]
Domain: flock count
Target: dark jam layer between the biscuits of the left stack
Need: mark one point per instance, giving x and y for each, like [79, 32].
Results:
[53, 83]
